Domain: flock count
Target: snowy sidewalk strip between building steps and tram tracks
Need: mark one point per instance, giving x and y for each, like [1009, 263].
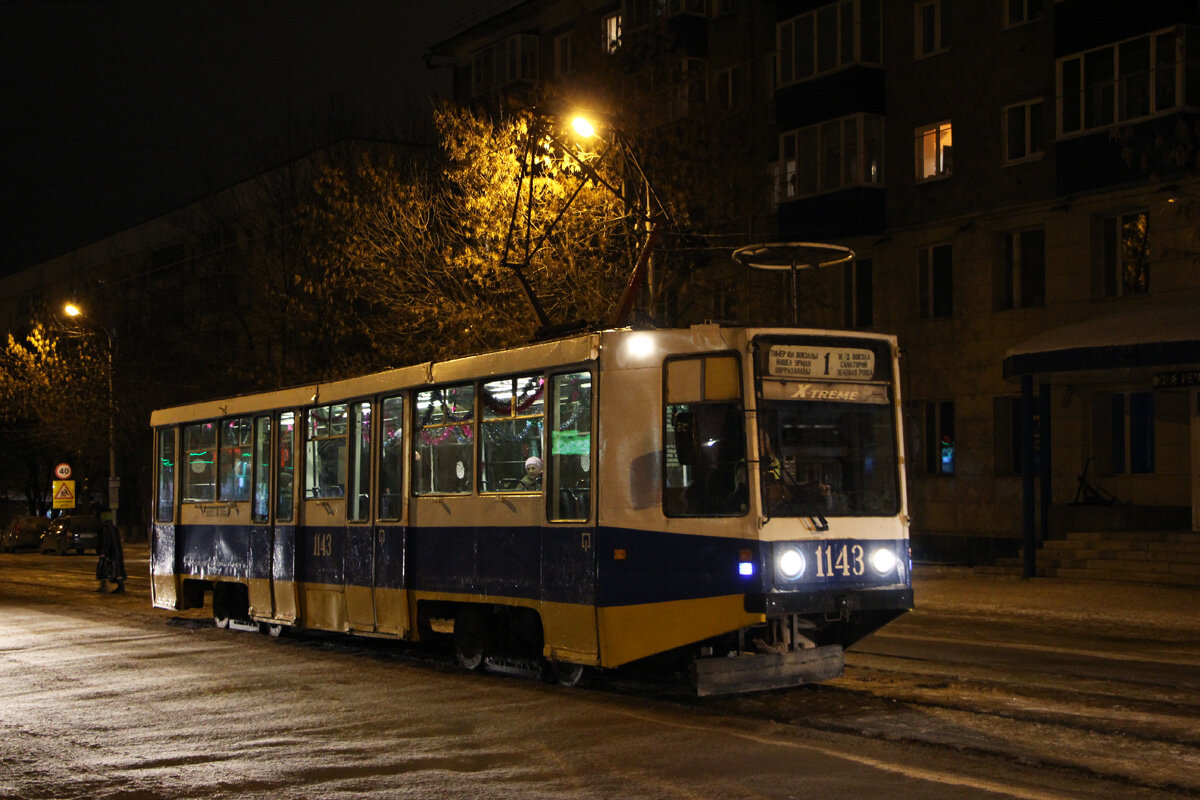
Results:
[1171, 612]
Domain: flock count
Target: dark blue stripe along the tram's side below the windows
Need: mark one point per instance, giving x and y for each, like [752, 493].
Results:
[535, 563]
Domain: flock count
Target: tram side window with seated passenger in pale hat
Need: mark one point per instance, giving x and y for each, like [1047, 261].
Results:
[511, 452]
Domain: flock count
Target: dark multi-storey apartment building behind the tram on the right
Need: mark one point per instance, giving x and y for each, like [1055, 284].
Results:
[1018, 182]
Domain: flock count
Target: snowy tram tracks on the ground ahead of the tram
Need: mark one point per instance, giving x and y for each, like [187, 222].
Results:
[1130, 730]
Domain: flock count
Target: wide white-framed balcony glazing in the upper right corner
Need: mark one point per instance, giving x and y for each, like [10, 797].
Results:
[1123, 82]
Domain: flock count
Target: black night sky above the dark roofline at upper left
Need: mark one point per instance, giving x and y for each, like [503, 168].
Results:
[116, 112]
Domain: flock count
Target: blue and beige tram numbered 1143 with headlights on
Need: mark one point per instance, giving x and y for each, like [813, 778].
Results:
[731, 495]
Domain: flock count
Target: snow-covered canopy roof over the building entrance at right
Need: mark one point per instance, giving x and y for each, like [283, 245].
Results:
[1165, 335]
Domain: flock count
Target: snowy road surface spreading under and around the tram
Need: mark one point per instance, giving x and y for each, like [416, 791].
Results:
[1022, 690]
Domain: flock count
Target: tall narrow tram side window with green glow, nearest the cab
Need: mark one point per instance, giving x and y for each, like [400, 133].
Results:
[571, 468]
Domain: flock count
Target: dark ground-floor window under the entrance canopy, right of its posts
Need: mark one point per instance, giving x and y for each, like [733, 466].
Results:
[1124, 432]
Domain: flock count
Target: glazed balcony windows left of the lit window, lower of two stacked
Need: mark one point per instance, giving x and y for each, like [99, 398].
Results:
[830, 157]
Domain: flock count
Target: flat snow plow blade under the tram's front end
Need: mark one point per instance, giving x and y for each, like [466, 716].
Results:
[761, 672]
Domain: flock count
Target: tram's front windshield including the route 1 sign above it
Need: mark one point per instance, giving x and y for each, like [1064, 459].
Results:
[827, 431]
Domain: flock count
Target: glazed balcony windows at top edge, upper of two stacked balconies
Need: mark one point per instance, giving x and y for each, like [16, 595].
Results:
[830, 39]
